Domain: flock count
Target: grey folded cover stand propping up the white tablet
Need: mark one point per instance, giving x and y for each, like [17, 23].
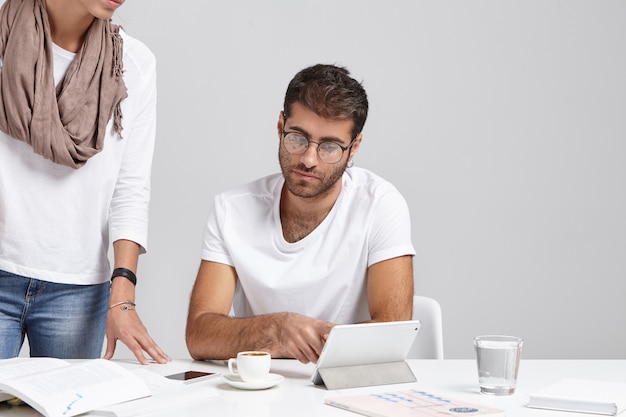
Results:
[354, 376]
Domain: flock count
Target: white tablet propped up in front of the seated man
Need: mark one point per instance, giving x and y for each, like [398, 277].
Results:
[366, 343]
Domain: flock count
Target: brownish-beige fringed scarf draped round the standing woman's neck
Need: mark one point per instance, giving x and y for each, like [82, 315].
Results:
[67, 123]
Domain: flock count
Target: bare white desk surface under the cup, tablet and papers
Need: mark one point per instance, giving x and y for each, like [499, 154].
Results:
[296, 396]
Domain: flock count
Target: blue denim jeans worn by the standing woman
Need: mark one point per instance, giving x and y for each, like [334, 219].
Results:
[60, 320]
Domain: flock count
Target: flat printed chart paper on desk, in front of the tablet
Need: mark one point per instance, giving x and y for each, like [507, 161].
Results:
[409, 403]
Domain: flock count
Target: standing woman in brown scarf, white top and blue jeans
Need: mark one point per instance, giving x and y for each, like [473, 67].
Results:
[77, 128]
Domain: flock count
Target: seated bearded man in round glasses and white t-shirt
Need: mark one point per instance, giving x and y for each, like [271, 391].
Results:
[320, 243]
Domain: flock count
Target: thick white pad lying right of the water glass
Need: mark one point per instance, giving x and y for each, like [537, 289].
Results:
[584, 396]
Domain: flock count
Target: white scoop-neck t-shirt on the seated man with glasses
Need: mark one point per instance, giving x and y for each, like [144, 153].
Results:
[323, 275]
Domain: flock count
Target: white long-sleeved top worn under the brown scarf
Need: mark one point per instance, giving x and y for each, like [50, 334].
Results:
[56, 222]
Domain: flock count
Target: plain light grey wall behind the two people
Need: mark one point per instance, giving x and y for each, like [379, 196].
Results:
[502, 122]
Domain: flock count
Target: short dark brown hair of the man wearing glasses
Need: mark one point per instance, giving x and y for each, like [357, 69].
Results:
[330, 92]
